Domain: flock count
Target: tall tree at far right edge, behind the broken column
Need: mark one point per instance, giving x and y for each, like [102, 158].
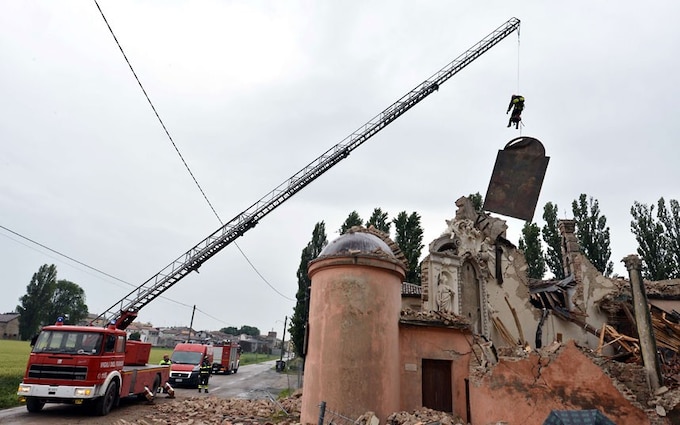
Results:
[657, 239]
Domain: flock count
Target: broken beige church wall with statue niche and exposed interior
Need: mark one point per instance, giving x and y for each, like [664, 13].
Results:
[492, 298]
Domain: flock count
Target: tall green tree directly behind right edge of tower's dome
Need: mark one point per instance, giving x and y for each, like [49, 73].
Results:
[409, 238]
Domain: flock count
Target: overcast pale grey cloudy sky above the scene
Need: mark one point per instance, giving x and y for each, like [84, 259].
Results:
[251, 92]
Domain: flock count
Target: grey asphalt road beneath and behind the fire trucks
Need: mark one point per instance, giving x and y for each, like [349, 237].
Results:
[251, 382]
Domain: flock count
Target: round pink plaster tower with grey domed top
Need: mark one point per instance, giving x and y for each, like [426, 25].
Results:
[352, 362]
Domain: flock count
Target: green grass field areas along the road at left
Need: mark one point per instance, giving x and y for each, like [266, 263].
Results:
[14, 356]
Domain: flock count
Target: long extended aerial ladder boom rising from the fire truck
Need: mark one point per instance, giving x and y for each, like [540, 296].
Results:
[125, 311]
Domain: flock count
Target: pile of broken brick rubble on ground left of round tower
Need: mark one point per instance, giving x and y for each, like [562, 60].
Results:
[212, 410]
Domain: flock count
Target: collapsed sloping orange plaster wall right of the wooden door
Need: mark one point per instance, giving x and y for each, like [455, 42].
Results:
[525, 390]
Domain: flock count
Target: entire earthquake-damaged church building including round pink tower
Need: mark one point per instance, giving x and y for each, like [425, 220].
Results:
[479, 339]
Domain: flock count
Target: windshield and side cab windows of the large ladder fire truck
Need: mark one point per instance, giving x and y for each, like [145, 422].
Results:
[70, 342]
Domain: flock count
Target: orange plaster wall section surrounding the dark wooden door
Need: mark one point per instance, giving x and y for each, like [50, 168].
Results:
[437, 343]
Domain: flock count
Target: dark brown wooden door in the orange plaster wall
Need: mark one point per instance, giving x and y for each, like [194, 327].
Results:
[437, 392]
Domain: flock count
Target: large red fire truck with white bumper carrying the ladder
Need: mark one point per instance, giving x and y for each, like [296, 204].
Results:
[93, 366]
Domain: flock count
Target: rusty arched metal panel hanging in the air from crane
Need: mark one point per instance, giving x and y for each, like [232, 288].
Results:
[517, 179]
